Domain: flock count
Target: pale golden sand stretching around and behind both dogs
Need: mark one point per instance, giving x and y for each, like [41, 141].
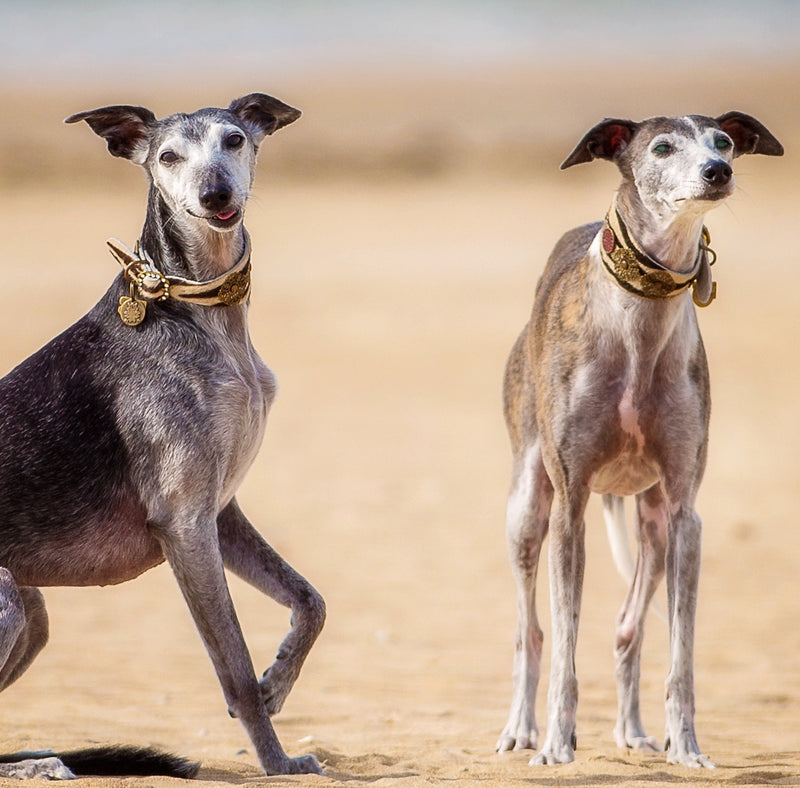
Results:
[386, 301]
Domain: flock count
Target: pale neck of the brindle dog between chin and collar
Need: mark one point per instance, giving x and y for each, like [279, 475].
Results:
[671, 238]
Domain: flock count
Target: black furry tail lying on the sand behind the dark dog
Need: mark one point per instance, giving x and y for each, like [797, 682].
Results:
[116, 761]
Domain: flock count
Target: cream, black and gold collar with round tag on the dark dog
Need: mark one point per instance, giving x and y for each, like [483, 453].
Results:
[147, 283]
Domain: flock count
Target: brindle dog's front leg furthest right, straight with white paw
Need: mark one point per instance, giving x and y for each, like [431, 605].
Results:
[683, 574]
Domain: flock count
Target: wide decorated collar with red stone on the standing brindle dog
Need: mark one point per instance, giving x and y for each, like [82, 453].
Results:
[635, 271]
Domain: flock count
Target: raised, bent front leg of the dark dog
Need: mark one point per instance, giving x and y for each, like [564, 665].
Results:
[248, 555]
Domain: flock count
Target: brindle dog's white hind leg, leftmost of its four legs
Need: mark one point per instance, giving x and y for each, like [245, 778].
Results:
[526, 526]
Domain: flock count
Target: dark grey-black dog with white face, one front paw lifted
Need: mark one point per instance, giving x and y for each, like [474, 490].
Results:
[125, 438]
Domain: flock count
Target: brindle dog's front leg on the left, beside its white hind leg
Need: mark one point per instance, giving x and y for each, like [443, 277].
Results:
[567, 560]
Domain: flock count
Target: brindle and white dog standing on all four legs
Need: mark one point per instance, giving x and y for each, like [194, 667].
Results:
[606, 390]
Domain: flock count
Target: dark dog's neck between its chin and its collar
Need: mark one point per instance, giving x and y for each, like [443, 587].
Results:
[184, 246]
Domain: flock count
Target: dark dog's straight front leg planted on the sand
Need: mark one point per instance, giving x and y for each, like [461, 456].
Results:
[191, 546]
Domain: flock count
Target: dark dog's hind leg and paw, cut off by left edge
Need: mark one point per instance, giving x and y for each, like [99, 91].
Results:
[23, 634]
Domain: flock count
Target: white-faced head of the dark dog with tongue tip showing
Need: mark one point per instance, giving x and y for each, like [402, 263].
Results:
[202, 163]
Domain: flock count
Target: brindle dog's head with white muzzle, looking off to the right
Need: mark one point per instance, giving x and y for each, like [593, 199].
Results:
[679, 163]
